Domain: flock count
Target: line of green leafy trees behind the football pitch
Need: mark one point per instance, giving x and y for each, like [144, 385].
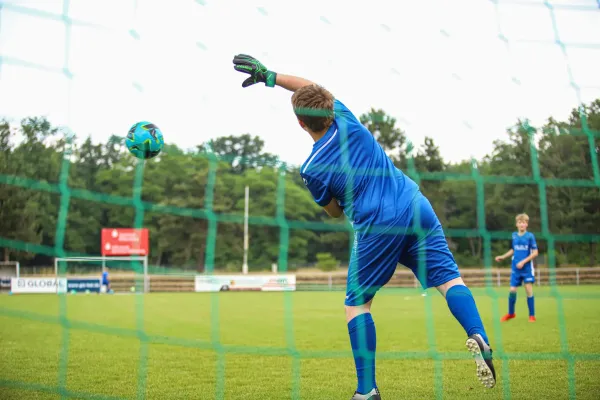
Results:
[561, 152]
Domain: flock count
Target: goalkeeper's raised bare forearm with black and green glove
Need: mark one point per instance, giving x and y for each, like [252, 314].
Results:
[259, 73]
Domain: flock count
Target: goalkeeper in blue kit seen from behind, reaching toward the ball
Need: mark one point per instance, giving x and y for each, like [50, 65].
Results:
[349, 173]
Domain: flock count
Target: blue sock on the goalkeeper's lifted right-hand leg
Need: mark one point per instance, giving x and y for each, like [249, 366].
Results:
[462, 305]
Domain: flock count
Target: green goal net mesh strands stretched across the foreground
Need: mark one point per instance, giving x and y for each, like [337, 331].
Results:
[213, 217]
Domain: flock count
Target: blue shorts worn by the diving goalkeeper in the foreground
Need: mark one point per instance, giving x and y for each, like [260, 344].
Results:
[375, 255]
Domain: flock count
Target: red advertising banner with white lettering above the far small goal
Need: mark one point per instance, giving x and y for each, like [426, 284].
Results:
[124, 242]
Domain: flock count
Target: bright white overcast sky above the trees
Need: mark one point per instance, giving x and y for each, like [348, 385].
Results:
[459, 71]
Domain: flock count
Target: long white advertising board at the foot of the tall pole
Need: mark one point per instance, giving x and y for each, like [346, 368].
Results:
[271, 283]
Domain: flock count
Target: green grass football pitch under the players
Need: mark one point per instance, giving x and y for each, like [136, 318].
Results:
[289, 345]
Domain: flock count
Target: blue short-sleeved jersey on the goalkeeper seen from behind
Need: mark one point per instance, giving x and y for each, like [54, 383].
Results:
[348, 164]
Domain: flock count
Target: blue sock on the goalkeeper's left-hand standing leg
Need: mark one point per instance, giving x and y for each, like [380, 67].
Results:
[363, 340]
